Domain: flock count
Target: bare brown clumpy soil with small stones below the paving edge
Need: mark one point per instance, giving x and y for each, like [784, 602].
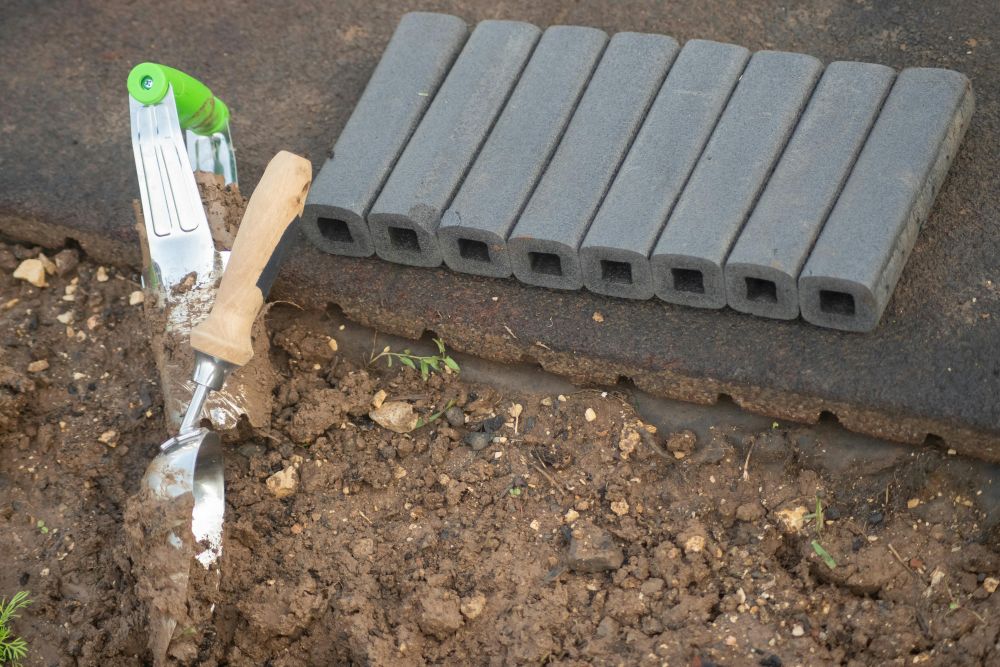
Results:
[565, 531]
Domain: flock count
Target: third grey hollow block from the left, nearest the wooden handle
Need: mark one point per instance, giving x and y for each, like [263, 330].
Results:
[473, 231]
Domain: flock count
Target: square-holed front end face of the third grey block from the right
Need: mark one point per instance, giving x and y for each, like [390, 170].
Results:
[688, 281]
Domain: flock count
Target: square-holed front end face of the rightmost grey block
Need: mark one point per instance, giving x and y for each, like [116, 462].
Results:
[835, 303]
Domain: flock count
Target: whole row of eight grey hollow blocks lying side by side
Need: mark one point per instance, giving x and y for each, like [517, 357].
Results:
[703, 175]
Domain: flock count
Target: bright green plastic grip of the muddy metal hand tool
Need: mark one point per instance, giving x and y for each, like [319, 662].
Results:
[197, 108]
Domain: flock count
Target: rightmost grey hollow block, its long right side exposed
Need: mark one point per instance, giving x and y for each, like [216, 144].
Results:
[854, 266]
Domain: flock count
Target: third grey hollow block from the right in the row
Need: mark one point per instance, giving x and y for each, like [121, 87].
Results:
[688, 259]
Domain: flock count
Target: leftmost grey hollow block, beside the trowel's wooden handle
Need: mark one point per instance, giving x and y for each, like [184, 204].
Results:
[414, 64]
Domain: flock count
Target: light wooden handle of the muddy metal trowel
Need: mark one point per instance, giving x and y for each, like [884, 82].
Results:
[255, 259]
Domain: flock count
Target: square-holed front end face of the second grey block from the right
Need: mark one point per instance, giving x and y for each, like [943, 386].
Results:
[760, 290]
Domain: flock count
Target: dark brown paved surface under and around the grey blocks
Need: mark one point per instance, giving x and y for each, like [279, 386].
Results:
[292, 72]
